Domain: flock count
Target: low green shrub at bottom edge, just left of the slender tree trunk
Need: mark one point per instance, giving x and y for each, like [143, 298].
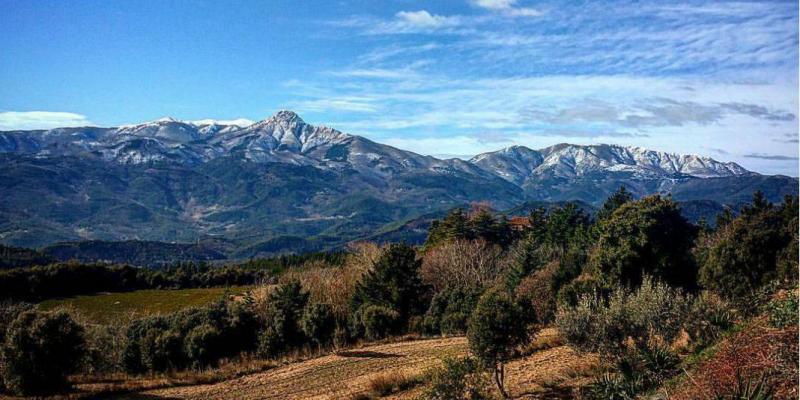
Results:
[458, 379]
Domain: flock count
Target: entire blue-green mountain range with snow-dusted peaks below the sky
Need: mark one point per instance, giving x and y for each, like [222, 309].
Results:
[282, 185]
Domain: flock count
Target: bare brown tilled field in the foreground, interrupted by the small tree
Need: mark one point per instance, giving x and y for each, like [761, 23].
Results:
[549, 372]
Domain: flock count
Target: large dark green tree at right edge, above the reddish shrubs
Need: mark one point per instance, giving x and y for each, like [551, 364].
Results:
[757, 247]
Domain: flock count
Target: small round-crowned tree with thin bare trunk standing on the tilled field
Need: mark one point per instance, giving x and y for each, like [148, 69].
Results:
[496, 328]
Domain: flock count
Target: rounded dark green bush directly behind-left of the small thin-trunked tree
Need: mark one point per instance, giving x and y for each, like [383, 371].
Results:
[450, 310]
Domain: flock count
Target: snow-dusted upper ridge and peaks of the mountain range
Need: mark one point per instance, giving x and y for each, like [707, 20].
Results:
[285, 137]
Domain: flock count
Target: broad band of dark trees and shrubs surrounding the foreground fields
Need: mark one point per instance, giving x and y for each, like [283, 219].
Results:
[636, 283]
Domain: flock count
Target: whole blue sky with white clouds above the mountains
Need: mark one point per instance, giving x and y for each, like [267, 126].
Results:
[450, 78]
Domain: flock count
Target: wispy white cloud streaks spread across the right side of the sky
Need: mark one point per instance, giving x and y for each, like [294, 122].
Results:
[669, 75]
